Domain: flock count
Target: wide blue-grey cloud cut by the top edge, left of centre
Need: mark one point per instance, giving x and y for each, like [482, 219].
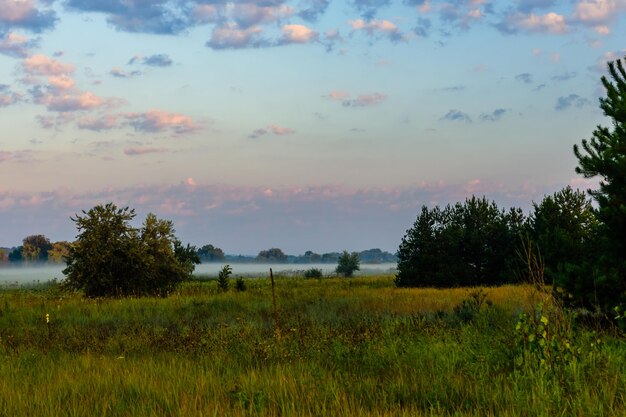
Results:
[153, 16]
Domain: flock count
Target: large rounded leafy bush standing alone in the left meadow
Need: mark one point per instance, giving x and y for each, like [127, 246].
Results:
[112, 258]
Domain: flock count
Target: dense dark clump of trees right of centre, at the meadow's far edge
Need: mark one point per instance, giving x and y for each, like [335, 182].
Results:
[473, 243]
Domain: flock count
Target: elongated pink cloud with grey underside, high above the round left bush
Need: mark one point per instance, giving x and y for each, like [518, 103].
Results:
[160, 121]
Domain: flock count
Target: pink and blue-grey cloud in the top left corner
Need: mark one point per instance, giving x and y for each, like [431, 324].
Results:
[24, 14]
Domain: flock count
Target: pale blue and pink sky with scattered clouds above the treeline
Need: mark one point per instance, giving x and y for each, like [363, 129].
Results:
[305, 125]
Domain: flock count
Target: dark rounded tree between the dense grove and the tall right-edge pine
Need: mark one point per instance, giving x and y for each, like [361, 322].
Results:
[563, 226]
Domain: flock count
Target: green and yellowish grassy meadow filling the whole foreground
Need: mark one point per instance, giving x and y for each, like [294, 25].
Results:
[330, 347]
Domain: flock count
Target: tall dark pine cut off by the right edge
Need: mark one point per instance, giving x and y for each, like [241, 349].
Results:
[601, 284]
